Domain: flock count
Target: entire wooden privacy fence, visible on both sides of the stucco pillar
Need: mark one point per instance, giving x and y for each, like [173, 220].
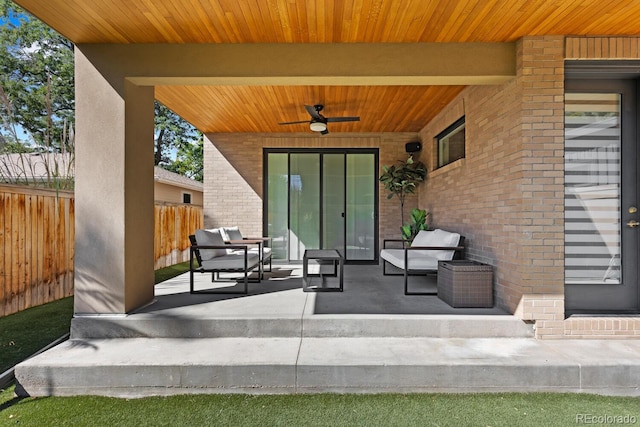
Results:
[37, 243]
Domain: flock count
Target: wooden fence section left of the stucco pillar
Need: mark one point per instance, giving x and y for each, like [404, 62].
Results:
[36, 240]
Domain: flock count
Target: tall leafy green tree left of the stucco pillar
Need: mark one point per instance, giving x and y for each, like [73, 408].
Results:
[36, 76]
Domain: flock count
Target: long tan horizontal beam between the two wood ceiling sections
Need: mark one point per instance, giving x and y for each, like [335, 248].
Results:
[305, 64]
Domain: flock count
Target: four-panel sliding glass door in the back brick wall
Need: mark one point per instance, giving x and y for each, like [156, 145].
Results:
[322, 200]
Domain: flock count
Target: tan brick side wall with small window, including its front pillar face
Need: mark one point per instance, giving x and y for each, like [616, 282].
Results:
[506, 195]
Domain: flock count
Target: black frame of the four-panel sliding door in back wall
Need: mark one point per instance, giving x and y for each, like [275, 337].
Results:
[321, 151]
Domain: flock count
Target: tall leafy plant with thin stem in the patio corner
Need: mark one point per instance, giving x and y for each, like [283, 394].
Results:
[403, 179]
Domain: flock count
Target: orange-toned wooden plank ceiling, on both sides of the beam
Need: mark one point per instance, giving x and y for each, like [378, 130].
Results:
[381, 108]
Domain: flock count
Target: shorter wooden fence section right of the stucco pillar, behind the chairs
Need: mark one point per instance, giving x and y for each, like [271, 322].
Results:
[173, 224]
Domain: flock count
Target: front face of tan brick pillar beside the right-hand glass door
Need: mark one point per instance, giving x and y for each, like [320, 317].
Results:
[542, 188]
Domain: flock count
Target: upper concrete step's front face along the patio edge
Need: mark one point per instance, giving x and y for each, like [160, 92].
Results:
[306, 325]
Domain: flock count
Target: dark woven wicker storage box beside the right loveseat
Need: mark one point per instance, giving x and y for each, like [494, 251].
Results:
[465, 283]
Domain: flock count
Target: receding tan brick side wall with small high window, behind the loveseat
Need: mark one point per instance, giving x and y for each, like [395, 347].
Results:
[479, 196]
